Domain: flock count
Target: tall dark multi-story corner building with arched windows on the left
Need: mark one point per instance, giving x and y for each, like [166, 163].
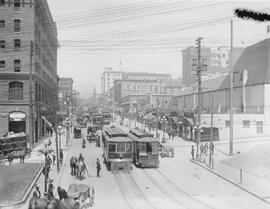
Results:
[28, 43]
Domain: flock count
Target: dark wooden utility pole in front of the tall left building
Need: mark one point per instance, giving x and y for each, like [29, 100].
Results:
[31, 118]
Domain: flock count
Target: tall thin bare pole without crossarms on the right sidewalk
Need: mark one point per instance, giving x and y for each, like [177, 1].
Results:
[231, 90]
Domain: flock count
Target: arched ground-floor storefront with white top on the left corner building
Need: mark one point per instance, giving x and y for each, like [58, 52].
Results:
[17, 122]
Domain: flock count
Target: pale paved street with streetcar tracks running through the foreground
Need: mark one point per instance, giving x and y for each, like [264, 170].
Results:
[177, 183]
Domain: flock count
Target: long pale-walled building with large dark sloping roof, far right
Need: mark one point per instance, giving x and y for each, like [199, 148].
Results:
[251, 96]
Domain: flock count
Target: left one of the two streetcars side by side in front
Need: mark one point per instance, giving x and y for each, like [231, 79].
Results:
[117, 148]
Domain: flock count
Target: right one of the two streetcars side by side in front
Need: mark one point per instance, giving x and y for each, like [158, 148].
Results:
[146, 148]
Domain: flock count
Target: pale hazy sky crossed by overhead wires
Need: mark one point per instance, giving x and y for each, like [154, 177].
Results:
[143, 35]
